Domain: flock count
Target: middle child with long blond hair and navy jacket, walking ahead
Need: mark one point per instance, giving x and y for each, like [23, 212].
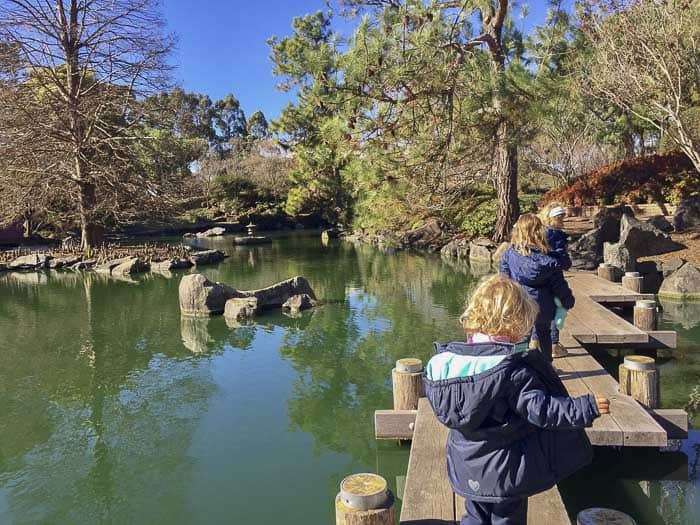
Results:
[528, 263]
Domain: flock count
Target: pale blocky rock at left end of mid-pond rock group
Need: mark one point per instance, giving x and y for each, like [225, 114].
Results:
[200, 297]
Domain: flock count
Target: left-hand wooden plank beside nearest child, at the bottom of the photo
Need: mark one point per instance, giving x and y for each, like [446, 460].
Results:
[428, 497]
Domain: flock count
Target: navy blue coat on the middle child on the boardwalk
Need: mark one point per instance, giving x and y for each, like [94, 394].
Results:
[542, 278]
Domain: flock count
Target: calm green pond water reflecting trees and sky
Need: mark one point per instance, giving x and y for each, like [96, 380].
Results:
[114, 410]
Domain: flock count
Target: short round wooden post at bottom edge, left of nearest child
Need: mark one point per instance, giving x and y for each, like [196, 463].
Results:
[364, 499]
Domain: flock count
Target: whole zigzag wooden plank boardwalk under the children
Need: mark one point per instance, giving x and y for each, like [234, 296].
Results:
[428, 498]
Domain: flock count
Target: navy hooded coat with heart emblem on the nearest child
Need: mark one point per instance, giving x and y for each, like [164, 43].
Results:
[514, 431]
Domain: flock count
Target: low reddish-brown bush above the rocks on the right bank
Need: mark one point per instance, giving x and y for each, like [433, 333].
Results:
[667, 177]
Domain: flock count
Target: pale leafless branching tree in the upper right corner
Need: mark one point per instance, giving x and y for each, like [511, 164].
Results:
[645, 59]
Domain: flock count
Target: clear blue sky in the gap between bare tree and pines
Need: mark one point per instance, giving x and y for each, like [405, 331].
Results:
[222, 46]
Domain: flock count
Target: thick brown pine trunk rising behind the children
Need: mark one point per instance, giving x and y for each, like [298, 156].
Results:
[506, 176]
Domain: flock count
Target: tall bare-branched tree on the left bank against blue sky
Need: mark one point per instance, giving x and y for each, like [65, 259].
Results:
[71, 119]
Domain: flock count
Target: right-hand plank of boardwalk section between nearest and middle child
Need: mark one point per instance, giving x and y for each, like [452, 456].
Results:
[638, 427]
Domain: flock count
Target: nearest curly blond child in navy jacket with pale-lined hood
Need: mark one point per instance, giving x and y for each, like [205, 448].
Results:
[514, 431]
